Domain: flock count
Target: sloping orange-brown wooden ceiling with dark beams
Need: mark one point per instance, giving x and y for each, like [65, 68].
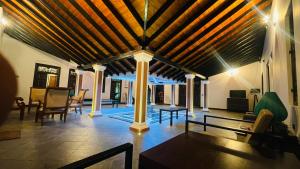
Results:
[196, 36]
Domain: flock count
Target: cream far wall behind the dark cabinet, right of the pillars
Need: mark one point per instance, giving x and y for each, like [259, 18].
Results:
[248, 77]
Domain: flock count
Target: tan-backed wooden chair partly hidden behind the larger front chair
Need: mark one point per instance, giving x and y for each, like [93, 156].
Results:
[36, 95]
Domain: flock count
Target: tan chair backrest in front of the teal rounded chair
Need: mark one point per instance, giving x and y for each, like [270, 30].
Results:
[262, 123]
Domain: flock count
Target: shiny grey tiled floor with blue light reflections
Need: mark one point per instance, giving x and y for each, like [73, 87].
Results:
[56, 143]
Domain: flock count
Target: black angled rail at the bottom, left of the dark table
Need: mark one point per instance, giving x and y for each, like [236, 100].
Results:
[86, 162]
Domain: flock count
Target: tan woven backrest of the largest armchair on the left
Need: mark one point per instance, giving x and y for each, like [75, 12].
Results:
[56, 98]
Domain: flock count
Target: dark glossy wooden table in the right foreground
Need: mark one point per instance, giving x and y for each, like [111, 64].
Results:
[201, 151]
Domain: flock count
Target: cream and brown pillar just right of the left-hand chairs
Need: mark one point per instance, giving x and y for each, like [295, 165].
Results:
[97, 90]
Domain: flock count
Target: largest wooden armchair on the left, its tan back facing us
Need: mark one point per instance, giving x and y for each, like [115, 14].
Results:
[56, 101]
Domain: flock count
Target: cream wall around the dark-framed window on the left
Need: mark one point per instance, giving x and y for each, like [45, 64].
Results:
[23, 59]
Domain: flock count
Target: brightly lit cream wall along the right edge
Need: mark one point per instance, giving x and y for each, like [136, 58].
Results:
[276, 45]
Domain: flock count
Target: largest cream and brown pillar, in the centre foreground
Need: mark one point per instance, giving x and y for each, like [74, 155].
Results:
[141, 90]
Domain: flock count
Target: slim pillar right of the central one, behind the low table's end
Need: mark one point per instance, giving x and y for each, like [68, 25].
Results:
[190, 93]
